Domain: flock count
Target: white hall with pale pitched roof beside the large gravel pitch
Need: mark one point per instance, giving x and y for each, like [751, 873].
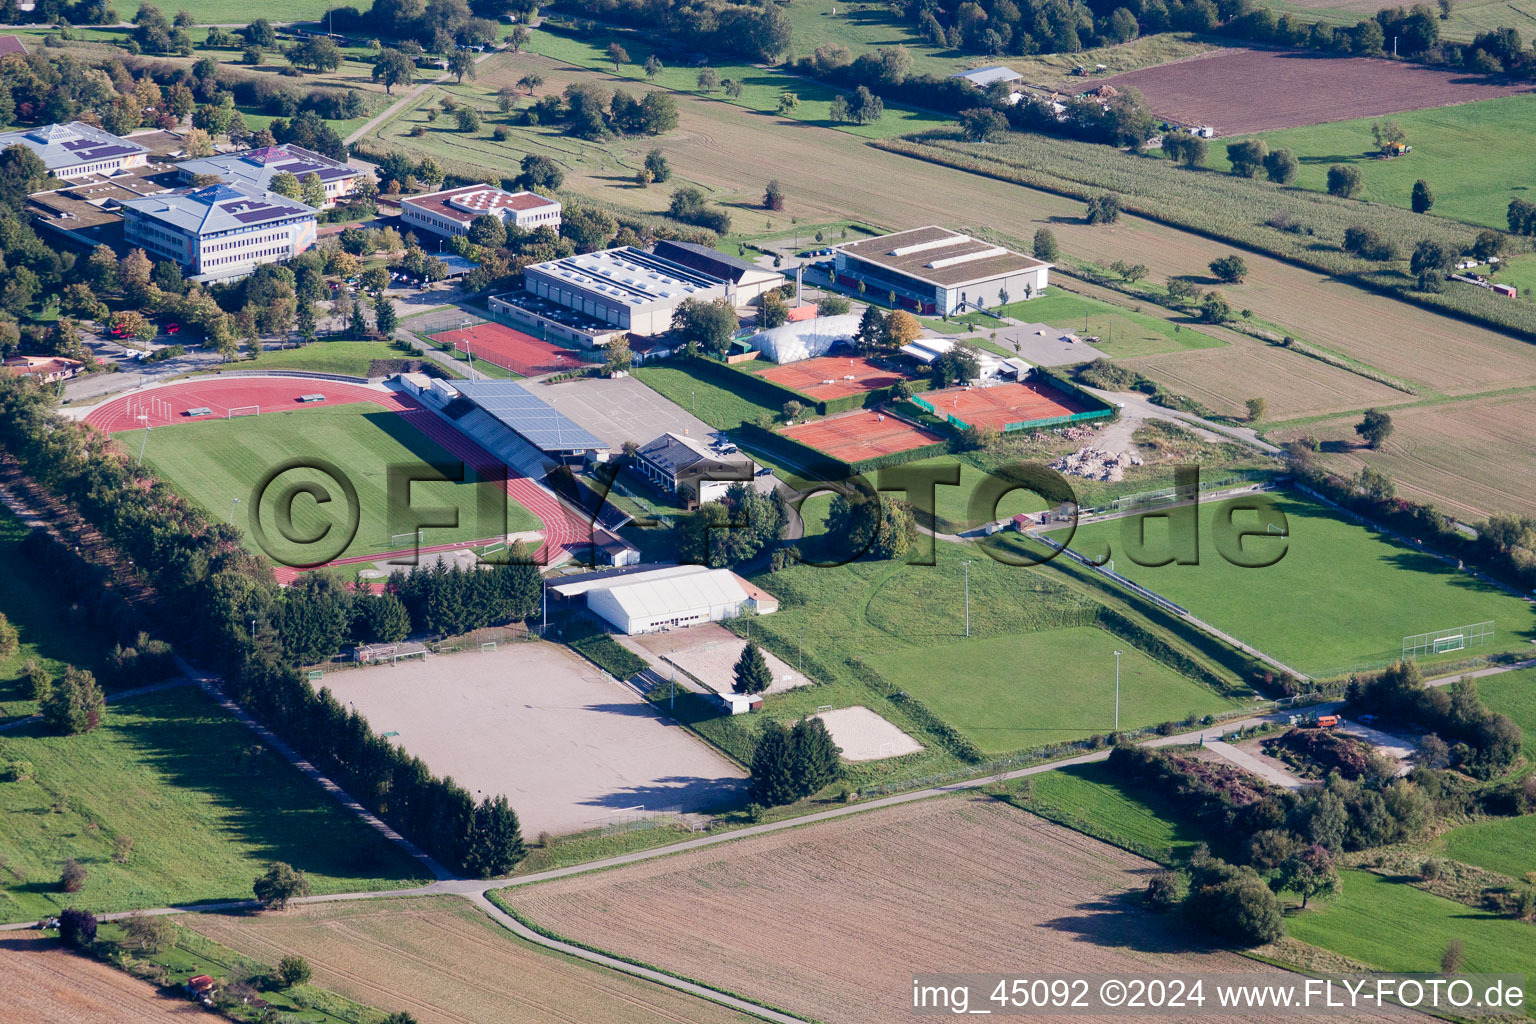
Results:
[669, 598]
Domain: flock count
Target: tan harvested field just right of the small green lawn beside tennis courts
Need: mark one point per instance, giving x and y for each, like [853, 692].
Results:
[1291, 383]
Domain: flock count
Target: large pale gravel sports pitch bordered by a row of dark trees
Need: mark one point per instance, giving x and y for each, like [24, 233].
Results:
[571, 748]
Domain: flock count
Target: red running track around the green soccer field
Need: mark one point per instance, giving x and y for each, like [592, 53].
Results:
[563, 527]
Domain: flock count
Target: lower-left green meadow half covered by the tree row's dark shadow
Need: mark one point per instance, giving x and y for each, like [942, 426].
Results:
[204, 802]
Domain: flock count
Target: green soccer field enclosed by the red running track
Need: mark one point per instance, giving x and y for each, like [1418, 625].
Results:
[219, 461]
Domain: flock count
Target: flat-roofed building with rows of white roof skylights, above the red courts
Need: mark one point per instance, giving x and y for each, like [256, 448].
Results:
[627, 288]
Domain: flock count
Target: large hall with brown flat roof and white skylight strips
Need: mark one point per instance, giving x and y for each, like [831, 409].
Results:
[935, 271]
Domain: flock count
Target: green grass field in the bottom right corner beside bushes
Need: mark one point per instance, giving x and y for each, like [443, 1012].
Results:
[1399, 928]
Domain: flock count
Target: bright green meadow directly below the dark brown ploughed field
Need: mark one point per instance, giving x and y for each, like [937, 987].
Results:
[1443, 139]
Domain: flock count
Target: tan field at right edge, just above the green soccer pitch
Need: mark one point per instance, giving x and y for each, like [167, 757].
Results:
[1472, 460]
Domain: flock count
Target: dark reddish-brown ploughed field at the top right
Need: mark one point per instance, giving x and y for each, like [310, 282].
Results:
[1240, 91]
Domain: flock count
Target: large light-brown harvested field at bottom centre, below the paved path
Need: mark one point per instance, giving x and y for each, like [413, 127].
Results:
[809, 919]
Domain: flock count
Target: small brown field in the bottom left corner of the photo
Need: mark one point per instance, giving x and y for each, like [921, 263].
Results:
[47, 985]
